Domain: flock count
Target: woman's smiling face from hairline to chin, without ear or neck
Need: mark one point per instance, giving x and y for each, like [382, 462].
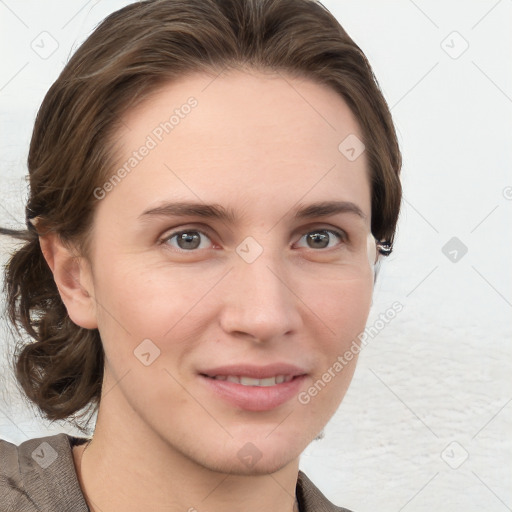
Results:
[234, 281]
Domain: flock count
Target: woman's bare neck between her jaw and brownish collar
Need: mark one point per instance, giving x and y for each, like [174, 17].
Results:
[146, 473]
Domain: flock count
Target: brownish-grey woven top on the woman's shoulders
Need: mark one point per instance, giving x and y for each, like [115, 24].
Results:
[39, 476]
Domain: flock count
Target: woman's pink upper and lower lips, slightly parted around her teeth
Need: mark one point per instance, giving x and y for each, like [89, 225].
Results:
[255, 398]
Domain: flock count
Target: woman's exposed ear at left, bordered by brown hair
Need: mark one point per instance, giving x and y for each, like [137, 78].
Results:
[73, 277]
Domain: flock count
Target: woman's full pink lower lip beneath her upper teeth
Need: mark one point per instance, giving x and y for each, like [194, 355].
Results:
[255, 398]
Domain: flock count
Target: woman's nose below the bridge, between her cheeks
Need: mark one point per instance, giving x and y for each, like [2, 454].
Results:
[259, 302]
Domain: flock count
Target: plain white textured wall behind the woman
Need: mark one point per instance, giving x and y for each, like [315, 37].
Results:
[426, 423]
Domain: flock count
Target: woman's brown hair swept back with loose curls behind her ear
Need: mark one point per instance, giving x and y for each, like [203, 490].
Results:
[132, 53]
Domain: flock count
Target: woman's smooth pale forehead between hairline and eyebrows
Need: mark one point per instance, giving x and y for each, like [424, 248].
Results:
[241, 135]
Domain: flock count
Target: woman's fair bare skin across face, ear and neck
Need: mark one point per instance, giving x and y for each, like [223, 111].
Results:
[258, 143]
